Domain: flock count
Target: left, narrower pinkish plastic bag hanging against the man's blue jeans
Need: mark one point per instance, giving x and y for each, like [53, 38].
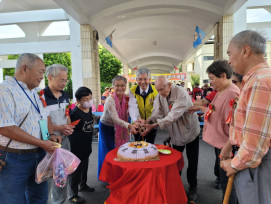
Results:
[44, 170]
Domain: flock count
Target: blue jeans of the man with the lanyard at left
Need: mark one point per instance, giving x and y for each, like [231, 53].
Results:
[17, 179]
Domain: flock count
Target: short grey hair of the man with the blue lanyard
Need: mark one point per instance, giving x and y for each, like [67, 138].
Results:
[27, 59]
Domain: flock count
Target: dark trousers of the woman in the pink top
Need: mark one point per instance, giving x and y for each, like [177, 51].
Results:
[224, 181]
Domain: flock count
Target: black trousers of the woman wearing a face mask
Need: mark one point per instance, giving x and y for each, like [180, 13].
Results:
[79, 177]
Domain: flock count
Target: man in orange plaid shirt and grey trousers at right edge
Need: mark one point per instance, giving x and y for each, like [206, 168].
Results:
[250, 130]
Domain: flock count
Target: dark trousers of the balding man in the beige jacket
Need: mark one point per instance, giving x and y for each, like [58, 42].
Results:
[192, 153]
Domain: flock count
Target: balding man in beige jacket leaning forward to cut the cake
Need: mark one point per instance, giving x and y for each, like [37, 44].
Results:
[171, 112]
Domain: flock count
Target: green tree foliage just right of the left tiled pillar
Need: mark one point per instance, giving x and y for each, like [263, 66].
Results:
[110, 66]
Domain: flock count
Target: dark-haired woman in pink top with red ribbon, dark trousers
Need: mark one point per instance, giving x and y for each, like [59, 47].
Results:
[216, 130]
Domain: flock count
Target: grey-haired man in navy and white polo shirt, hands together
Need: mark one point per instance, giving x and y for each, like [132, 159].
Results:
[57, 100]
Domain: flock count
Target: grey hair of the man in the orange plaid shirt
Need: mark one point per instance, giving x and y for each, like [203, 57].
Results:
[251, 38]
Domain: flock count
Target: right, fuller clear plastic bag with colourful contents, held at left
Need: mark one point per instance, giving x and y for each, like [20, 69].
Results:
[65, 163]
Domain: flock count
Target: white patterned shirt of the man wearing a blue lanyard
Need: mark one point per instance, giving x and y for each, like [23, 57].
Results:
[14, 106]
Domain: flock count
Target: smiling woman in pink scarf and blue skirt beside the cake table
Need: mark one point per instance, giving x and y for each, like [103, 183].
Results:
[113, 126]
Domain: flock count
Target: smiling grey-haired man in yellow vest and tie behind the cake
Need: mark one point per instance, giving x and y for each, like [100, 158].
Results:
[141, 100]
